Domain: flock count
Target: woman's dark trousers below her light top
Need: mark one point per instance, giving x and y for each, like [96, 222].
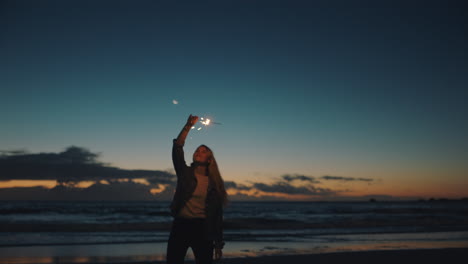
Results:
[187, 233]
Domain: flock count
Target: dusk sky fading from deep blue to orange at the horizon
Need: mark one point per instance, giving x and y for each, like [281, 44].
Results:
[329, 92]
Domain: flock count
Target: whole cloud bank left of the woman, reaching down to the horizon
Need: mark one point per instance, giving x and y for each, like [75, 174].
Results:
[73, 166]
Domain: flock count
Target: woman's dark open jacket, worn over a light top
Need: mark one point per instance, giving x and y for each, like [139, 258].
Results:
[186, 183]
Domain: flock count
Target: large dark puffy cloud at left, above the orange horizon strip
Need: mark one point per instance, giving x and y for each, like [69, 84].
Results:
[75, 164]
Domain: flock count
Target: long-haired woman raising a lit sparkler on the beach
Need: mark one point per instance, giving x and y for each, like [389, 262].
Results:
[197, 206]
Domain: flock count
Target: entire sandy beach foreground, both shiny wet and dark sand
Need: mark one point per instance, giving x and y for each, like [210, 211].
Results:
[369, 248]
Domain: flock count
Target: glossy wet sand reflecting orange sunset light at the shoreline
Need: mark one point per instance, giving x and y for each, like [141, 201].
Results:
[155, 252]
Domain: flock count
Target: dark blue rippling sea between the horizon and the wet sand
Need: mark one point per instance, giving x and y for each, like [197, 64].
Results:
[150, 216]
